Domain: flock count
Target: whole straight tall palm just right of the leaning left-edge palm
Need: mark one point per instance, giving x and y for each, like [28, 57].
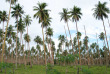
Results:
[17, 12]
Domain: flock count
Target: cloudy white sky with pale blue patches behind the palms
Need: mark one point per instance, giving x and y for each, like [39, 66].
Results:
[92, 25]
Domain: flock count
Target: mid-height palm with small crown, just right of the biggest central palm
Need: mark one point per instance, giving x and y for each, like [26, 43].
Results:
[50, 33]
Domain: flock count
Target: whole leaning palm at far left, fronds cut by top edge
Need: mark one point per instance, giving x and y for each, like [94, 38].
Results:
[3, 46]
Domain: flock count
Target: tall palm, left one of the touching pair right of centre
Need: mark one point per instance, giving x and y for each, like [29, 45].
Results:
[65, 16]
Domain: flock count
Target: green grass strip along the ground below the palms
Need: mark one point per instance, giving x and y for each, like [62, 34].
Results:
[40, 69]
